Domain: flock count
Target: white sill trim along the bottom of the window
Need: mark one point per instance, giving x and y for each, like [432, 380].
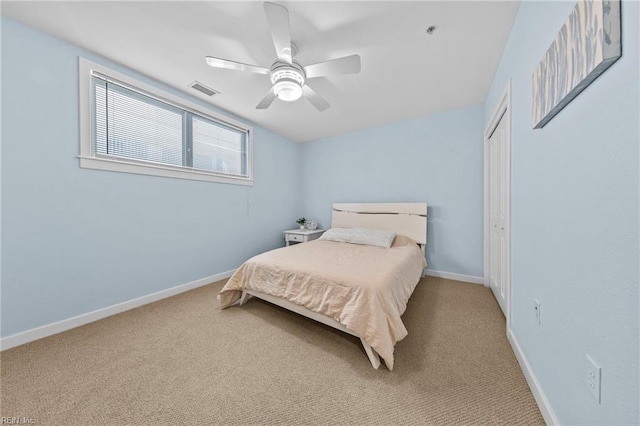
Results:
[121, 166]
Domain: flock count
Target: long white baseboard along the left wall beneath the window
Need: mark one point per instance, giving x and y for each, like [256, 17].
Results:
[69, 323]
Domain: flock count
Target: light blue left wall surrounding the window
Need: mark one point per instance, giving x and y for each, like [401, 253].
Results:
[76, 240]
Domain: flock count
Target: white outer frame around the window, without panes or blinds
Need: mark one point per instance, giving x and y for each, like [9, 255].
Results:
[89, 159]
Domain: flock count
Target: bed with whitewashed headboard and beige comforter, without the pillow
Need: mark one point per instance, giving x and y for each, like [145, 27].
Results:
[360, 289]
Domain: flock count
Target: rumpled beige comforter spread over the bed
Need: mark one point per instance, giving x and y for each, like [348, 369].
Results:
[365, 288]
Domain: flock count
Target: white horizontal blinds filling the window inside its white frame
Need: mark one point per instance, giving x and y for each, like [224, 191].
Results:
[132, 125]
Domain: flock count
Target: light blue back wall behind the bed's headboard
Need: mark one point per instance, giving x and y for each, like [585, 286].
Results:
[435, 159]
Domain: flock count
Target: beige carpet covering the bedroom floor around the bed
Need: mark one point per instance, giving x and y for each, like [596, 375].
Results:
[183, 361]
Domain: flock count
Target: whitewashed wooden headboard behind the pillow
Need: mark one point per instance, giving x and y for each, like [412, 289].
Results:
[408, 219]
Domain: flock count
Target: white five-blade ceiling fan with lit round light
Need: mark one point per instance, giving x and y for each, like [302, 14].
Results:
[289, 77]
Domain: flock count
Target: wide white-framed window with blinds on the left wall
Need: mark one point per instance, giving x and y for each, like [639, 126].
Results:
[131, 127]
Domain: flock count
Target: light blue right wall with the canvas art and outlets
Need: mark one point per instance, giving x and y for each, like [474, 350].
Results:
[575, 223]
